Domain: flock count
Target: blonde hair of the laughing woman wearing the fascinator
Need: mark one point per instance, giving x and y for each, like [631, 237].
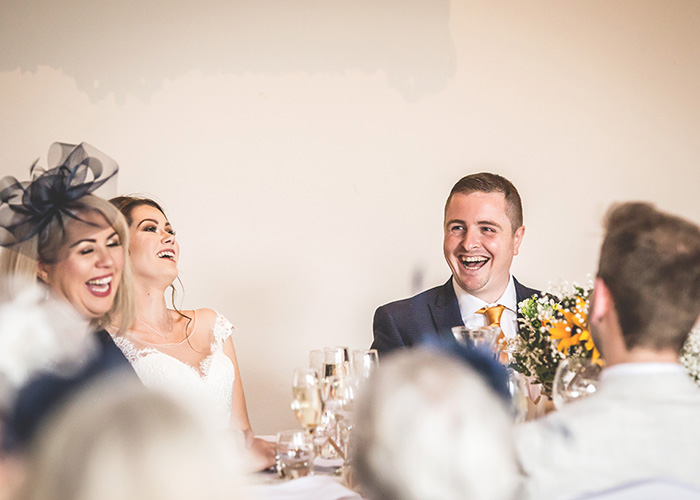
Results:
[20, 262]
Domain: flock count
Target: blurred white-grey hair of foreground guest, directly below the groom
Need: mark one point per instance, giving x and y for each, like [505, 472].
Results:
[431, 428]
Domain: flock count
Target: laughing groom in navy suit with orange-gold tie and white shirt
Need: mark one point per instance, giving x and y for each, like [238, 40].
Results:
[483, 231]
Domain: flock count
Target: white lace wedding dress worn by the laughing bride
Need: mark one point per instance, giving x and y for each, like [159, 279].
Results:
[208, 386]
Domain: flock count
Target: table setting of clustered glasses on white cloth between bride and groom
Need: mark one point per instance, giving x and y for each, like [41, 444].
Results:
[313, 462]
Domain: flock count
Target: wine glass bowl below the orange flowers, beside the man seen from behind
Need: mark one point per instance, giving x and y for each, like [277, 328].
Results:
[575, 378]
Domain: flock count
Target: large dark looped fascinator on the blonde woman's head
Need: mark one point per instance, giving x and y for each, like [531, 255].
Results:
[29, 208]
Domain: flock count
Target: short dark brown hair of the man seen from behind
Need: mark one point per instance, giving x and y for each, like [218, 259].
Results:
[650, 262]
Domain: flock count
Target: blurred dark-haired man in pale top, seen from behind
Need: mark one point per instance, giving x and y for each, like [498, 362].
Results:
[643, 422]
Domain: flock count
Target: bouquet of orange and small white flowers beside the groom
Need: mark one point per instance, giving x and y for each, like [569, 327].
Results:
[552, 327]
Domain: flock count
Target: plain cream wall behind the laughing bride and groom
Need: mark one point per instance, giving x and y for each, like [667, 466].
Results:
[304, 148]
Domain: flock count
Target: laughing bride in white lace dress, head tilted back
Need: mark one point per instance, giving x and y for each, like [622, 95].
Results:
[189, 352]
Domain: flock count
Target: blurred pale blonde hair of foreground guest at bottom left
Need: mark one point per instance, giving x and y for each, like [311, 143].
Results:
[117, 440]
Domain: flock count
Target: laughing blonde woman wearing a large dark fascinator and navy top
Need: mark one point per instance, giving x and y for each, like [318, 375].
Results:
[55, 231]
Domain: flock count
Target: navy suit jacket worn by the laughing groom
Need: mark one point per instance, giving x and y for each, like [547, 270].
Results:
[434, 312]
